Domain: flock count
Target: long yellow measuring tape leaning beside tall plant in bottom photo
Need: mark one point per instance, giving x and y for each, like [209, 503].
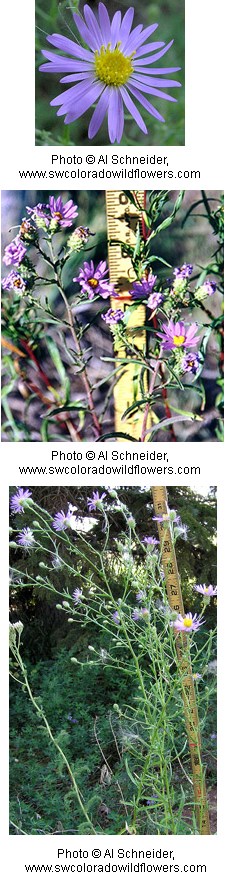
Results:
[188, 689]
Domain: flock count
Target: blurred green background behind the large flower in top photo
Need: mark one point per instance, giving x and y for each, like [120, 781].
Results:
[58, 19]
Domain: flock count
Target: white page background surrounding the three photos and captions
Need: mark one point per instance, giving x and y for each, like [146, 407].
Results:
[204, 149]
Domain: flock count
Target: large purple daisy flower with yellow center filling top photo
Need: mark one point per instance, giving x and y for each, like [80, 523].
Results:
[111, 71]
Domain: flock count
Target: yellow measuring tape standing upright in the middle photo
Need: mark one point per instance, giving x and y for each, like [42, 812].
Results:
[122, 223]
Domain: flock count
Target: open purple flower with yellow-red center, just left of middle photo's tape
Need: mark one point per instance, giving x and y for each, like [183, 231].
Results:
[92, 280]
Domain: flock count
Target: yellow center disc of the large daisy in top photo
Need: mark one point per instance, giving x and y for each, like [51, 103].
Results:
[112, 67]
